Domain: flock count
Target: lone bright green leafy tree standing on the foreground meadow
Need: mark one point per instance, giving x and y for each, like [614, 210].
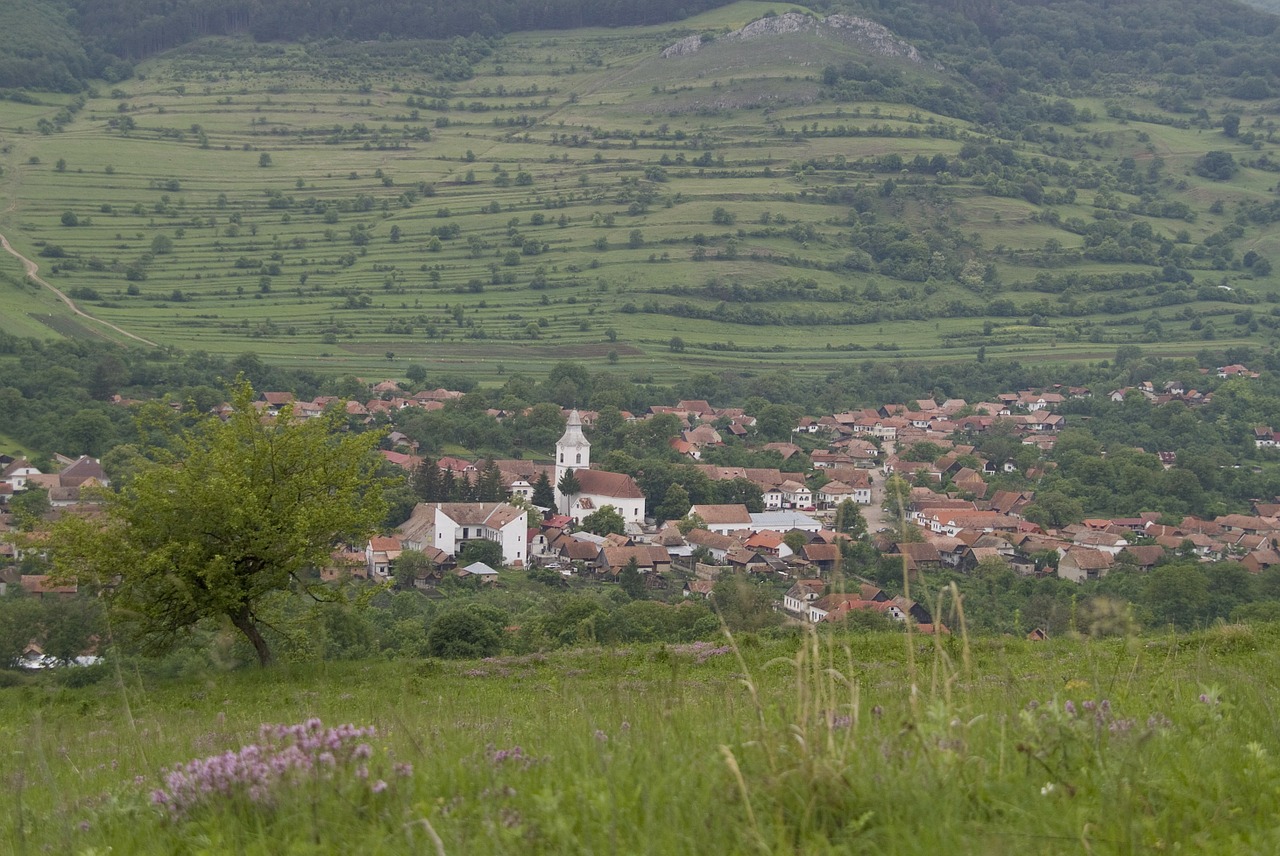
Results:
[240, 512]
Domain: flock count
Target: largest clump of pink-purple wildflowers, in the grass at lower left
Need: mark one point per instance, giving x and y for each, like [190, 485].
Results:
[259, 771]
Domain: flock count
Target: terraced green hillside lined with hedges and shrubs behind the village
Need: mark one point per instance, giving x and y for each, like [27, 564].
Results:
[341, 207]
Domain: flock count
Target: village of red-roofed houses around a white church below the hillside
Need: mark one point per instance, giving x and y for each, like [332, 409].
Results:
[907, 480]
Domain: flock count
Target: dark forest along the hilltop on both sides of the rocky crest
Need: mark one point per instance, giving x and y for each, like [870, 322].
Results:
[1004, 48]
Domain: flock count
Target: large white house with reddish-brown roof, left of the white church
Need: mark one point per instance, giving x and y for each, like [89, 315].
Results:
[449, 527]
